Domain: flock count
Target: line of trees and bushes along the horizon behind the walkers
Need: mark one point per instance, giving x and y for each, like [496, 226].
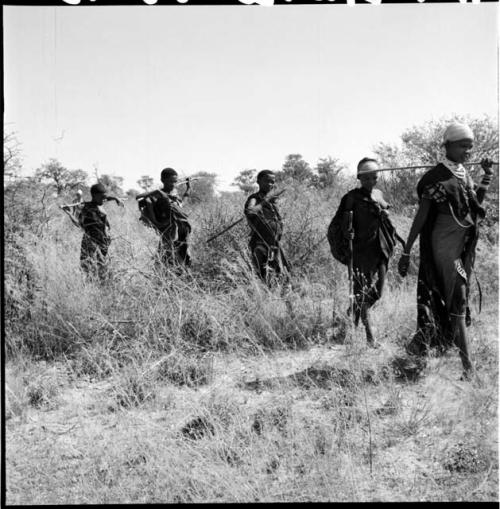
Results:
[418, 145]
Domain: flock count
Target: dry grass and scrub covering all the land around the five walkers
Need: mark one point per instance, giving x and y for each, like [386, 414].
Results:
[207, 386]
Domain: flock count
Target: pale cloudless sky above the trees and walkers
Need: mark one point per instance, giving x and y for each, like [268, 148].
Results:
[221, 89]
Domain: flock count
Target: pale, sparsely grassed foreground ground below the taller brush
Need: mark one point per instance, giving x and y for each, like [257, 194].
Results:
[253, 433]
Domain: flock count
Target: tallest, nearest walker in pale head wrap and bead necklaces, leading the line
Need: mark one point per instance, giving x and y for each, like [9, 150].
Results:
[447, 221]
